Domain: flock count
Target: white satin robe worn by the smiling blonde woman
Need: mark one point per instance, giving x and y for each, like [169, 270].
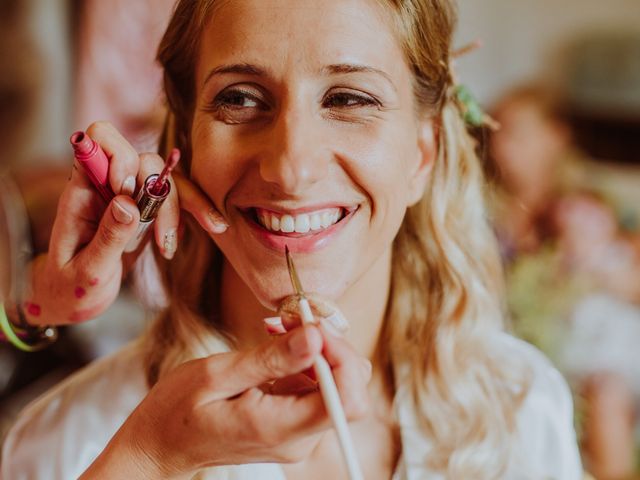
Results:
[59, 435]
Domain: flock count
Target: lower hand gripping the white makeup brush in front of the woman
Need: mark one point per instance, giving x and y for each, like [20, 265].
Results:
[217, 411]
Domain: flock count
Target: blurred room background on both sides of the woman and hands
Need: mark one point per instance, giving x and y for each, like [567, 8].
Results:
[562, 79]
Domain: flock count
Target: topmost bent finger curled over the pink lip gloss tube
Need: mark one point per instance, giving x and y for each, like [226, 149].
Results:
[123, 159]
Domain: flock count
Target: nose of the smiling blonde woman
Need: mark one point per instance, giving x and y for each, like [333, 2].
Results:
[296, 158]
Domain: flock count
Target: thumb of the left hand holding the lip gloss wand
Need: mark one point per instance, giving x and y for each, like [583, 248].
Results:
[118, 225]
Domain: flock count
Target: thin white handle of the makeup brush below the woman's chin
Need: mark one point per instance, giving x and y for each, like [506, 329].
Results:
[332, 402]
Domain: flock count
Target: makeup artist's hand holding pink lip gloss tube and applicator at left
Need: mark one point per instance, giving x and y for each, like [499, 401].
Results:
[81, 274]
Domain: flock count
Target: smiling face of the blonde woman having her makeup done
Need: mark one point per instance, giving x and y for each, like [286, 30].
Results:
[305, 134]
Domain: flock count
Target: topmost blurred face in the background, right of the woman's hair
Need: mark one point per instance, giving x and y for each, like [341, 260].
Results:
[528, 146]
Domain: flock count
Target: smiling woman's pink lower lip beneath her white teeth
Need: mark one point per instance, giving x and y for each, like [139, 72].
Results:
[297, 242]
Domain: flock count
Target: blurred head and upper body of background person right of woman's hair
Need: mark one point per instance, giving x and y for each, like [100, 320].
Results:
[533, 161]
